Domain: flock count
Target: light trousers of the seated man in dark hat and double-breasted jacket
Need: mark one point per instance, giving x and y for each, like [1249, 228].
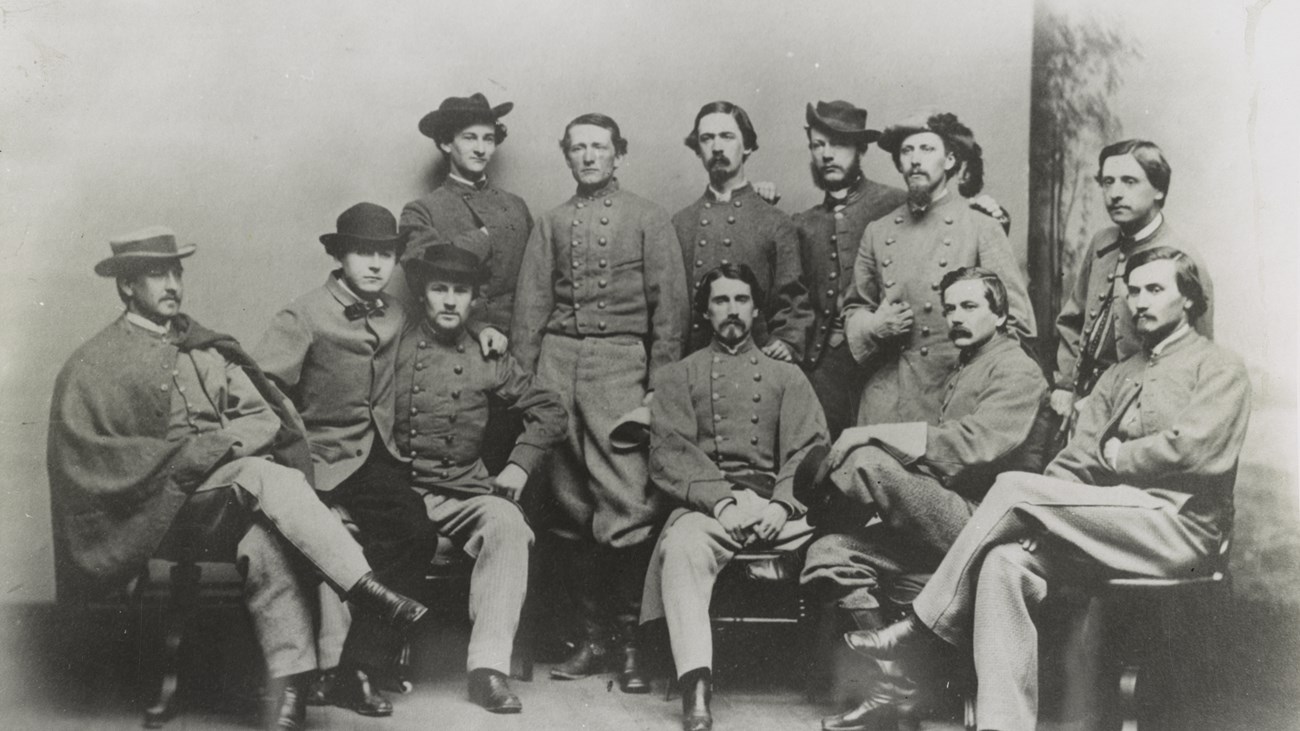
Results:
[493, 531]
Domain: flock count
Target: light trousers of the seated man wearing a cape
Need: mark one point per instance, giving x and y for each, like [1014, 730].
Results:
[287, 520]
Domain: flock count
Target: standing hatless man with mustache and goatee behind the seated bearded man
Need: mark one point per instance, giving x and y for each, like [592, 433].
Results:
[733, 224]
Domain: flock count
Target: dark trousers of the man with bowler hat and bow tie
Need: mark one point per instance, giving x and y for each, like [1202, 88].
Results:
[398, 542]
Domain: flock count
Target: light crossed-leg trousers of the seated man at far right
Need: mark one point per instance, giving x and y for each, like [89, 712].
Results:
[990, 585]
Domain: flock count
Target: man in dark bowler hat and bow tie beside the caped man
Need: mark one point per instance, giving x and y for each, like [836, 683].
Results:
[333, 351]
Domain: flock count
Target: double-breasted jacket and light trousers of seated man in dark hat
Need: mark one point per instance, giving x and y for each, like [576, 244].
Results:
[444, 390]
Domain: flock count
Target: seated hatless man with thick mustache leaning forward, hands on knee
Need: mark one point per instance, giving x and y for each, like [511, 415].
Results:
[924, 481]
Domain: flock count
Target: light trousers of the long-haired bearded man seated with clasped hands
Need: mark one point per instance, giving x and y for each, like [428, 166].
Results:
[691, 553]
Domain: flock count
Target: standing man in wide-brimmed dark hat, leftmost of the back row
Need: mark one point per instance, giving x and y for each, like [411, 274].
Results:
[469, 213]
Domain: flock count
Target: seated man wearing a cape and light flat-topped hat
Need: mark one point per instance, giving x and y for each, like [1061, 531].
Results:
[166, 436]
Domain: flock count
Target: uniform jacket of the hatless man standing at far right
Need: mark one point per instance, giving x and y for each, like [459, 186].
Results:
[1099, 289]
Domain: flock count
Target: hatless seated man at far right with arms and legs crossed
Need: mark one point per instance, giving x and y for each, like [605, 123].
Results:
[1145, 488]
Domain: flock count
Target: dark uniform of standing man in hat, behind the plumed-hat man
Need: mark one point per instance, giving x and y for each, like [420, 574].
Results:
[830, 235]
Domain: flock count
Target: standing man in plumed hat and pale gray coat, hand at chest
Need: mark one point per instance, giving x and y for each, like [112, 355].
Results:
[894, 323]
